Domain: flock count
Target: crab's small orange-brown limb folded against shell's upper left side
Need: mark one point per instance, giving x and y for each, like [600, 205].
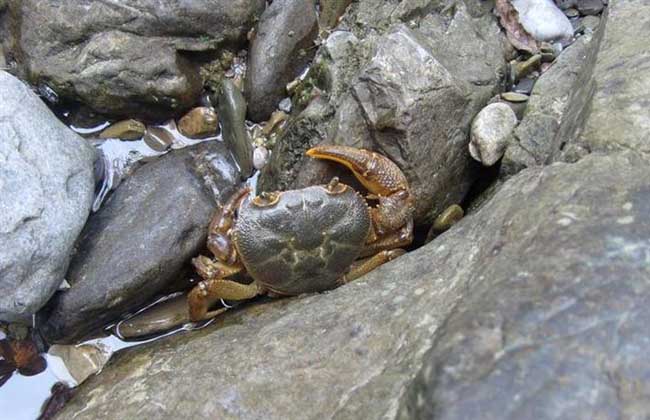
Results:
[219, 242]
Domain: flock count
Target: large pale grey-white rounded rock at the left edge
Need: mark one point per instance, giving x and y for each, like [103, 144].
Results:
[46, 189]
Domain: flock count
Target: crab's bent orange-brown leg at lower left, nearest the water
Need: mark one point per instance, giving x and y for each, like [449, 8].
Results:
[208, 292]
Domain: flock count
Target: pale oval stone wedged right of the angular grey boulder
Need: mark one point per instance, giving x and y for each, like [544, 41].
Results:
[490, 131]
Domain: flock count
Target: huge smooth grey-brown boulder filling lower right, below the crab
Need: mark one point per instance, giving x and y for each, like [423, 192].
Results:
[370, 337]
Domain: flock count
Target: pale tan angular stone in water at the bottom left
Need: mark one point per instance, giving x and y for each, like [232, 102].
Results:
[81, 361]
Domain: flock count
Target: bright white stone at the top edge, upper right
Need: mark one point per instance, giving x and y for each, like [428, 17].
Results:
[543, 20]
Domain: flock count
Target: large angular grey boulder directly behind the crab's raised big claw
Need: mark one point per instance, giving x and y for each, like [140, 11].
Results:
[405, 81]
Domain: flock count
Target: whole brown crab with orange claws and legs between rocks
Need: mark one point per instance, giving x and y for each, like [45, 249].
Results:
[305, 240]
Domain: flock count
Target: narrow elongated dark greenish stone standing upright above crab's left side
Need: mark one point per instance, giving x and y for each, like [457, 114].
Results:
[232, 110]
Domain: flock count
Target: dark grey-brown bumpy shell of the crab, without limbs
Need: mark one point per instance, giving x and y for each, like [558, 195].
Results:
[305, 240]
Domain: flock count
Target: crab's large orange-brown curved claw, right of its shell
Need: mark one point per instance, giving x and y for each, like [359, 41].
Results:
[383, 179]
